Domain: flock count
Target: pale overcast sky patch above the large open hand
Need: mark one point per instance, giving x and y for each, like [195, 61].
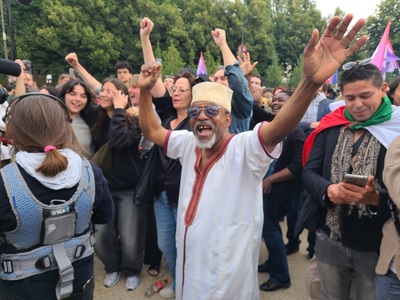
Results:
[359, 8]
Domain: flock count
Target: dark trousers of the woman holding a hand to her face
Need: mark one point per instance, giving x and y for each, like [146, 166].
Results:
[120, 243]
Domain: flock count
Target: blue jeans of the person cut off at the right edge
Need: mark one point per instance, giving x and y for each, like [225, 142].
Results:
[387, 286]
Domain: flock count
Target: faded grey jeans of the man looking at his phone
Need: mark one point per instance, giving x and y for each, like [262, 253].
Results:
[337, 265]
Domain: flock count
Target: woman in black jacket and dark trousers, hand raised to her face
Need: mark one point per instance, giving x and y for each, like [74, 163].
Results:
[119, 244]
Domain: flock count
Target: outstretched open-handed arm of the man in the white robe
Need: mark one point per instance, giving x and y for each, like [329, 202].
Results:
[321, 59]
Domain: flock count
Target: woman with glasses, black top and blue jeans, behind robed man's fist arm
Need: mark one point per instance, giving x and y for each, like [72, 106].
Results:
[172, 110]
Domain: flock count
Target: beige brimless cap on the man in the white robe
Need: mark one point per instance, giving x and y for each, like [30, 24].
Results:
[213, 92]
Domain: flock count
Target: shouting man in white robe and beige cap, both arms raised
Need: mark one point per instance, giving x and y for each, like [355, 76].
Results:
[219, 219]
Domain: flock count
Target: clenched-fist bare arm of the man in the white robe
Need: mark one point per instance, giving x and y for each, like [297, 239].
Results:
[149, 123]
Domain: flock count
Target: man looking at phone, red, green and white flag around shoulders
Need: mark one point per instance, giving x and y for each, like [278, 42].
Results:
[352, 139]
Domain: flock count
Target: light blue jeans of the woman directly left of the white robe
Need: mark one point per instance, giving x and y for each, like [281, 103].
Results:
[166, 230]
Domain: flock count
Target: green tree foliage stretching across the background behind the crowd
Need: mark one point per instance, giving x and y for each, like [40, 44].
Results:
[103, 32]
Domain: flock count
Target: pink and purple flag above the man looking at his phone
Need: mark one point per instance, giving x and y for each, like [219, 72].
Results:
[384, 57]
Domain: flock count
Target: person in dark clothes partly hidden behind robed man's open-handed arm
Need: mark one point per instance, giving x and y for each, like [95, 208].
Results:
[278, 185]
